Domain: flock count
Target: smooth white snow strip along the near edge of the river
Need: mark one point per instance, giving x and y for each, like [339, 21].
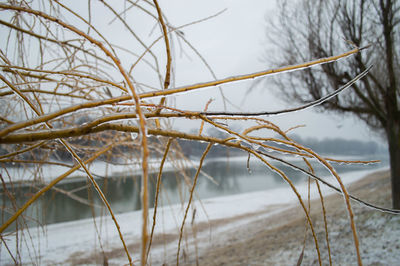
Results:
[57, 243]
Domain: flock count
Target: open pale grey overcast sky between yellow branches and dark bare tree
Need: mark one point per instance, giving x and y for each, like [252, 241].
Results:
[234, 43]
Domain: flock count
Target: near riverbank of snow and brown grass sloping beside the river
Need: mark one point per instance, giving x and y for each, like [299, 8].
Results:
[265, 227]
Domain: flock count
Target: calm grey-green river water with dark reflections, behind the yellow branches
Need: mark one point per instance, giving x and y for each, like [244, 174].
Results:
[123, 193]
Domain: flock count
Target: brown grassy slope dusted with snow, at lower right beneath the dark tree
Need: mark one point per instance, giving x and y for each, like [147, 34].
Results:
[277, 239]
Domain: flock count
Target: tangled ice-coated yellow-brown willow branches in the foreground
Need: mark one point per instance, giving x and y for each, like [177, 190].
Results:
[81, 89]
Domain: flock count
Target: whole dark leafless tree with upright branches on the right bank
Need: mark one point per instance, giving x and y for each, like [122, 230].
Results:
[309, 29]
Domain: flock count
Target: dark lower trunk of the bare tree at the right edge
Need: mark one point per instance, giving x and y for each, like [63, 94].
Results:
[393, 134]
